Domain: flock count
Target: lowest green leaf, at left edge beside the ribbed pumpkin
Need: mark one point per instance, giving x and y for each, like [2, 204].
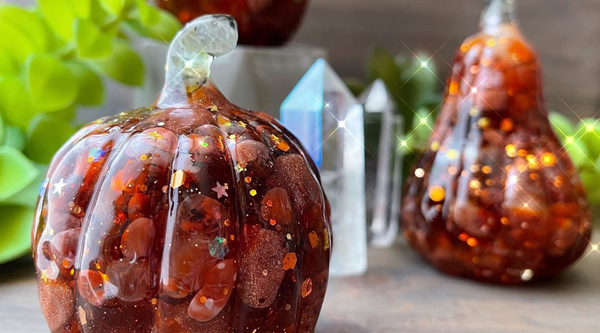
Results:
[15, 232]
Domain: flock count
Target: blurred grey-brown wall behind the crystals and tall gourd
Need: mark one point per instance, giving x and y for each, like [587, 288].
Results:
[566, 34]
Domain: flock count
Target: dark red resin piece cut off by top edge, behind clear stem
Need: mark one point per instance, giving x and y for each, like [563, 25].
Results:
[261, 22]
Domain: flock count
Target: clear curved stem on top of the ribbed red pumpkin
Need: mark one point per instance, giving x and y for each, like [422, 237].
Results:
[191, 54]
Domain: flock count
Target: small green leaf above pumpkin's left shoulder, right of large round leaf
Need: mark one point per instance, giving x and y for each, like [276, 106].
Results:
[91, 86]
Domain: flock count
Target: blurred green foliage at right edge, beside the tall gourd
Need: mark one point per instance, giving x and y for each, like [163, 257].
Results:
[581, 140]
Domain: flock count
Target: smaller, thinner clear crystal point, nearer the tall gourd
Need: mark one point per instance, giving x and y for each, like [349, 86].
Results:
[383, 127]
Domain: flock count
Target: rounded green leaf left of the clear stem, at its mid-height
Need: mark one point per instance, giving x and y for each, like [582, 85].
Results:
[124, 66]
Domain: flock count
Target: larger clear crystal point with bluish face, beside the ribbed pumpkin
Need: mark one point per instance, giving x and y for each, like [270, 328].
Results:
[328, 120]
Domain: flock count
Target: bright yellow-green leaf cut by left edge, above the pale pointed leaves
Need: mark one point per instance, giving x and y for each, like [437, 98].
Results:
[16, 106]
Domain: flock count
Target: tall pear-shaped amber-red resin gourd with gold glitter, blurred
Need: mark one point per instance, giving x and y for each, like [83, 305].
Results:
[496, 197]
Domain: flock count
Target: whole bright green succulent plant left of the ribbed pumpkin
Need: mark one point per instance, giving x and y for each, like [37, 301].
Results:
[54, 59]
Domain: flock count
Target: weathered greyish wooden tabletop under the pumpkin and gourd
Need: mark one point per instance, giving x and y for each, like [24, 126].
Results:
[399, 293]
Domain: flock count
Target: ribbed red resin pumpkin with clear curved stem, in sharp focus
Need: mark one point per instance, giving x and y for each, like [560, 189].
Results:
[190, 216]
